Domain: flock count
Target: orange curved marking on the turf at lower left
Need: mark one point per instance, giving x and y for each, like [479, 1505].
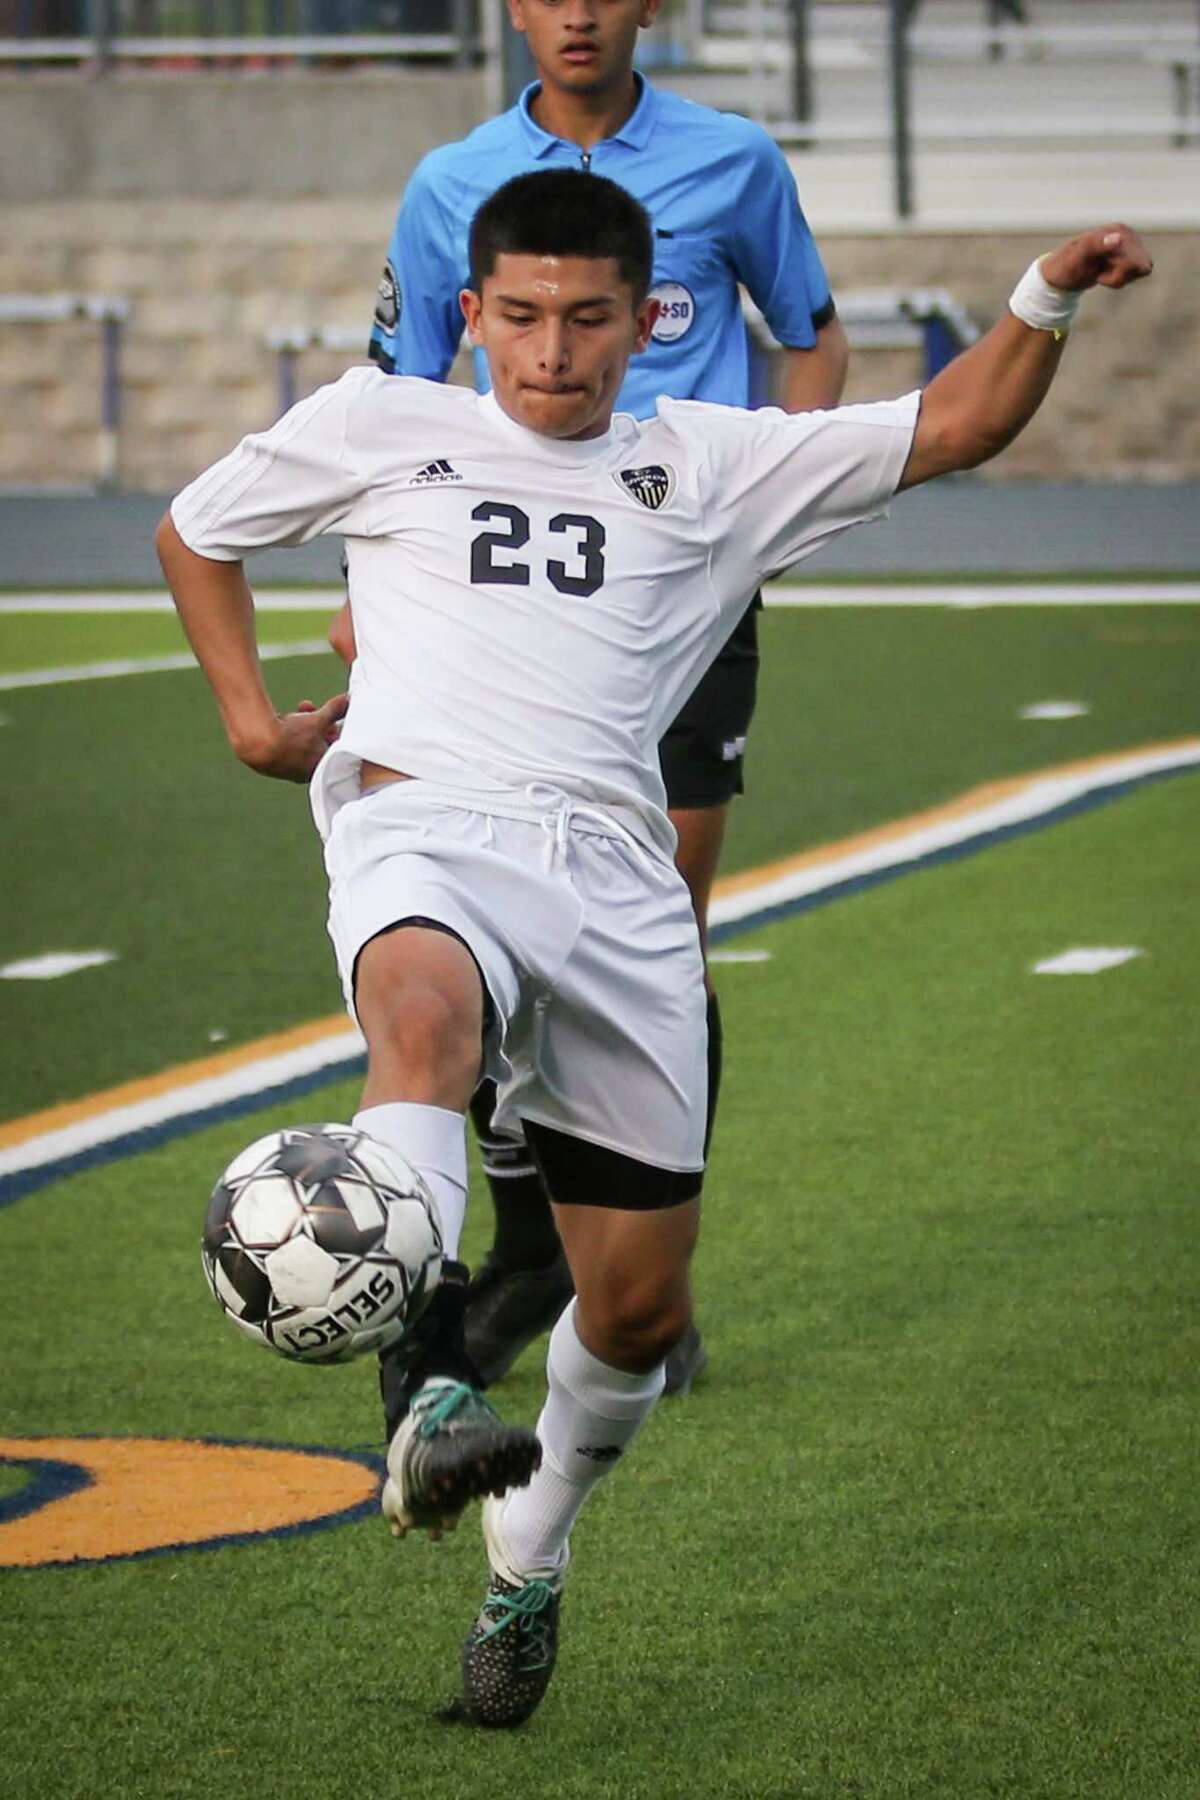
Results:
[172, 1493]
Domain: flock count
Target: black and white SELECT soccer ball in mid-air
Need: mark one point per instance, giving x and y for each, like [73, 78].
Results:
[321, 1245]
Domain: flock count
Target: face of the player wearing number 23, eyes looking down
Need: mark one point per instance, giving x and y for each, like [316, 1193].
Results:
[559, 334]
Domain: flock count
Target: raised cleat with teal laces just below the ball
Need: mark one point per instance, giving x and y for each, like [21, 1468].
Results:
[449, 1450]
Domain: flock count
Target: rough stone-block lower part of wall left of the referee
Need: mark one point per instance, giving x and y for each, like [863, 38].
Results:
[206, 283]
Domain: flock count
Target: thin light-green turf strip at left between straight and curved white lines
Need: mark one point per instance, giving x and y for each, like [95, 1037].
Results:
[58, 640]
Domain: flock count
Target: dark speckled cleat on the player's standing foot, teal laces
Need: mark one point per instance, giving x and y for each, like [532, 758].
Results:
[510, 1651]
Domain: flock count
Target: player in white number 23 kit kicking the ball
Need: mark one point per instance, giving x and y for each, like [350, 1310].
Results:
[535, 584]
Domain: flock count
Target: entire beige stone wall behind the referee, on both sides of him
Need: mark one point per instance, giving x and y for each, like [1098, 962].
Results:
[210, 276]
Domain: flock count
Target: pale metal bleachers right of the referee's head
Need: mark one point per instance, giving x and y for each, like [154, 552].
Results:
[978, 73]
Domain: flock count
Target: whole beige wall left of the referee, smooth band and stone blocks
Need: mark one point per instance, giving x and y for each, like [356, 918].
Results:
[219, 206]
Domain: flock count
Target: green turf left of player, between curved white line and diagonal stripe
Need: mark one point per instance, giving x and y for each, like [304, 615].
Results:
[143, 836]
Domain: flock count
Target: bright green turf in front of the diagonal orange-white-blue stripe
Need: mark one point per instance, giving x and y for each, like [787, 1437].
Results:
[929, 1525]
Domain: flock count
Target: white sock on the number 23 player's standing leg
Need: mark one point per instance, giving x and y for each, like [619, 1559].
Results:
[591, 1417]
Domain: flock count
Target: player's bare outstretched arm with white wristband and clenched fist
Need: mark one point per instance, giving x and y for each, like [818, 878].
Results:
[989, 395]
